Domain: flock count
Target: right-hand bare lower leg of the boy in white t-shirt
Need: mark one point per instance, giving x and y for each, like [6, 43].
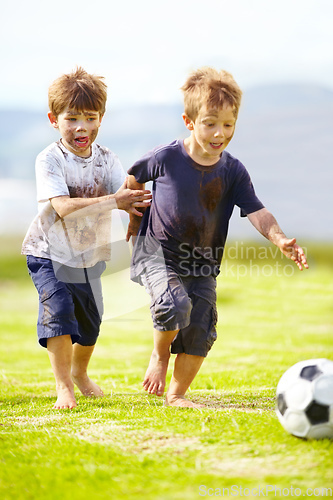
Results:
[80, 361]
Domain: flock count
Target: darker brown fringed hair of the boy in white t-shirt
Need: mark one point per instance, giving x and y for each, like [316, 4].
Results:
[79, 91]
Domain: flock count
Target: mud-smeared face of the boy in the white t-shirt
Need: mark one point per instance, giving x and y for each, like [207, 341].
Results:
[78, 129]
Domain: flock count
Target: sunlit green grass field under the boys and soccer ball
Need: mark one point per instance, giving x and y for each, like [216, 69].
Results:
[128, 445]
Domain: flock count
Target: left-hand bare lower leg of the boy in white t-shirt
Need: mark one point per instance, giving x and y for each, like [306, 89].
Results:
[60, 351]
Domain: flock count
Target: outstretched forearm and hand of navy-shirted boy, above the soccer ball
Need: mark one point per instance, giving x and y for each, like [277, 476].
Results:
[267, 225]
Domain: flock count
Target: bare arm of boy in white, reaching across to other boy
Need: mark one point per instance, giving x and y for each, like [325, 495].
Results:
[124, 199]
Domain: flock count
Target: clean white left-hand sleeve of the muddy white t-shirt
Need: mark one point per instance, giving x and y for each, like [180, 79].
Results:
[50, 177]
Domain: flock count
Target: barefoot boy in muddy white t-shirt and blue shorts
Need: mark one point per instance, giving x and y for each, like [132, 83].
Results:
[68, 242]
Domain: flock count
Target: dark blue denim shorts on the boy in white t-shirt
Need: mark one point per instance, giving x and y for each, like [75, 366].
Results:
[70, 300]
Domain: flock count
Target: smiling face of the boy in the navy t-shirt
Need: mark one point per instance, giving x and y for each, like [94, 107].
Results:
[211, 133]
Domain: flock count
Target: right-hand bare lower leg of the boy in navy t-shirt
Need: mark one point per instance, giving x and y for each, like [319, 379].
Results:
[185, 369]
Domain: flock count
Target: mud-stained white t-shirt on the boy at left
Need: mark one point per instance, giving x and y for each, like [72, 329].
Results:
[82, 238]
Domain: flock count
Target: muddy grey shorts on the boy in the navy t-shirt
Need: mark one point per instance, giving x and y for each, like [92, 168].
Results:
[185, 304]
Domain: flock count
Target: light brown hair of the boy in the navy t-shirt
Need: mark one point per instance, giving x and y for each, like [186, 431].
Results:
[215, 89]
